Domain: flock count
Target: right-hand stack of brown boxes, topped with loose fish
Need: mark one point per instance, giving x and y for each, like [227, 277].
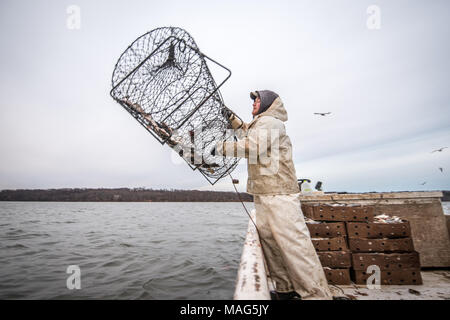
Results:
[388, 245]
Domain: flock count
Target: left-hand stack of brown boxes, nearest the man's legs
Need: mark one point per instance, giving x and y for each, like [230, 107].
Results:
[327, 227]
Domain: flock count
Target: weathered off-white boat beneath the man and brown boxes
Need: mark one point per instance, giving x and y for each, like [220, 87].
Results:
[430, 235]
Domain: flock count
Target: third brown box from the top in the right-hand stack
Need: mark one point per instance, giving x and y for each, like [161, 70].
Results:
[386, 261]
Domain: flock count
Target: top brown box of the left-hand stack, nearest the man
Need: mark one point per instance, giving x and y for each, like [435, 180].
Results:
[342, 213]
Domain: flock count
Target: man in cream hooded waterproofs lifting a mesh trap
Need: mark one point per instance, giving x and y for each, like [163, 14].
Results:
[291, 258]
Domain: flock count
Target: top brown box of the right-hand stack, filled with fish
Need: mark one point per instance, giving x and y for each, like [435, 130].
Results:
[378, 230]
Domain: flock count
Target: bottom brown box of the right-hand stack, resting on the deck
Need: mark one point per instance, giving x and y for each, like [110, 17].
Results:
[391, 277]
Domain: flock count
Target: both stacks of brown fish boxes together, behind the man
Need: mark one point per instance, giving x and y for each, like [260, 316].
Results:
[349, 239]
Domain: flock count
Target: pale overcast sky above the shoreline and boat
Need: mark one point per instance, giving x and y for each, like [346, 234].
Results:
[387, 89]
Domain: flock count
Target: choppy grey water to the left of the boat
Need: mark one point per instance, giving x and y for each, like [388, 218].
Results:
[124, 250]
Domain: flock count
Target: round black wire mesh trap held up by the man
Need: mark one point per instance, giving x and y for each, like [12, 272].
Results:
[162, 79]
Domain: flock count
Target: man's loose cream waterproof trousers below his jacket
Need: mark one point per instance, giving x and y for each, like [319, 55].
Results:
[290, 255]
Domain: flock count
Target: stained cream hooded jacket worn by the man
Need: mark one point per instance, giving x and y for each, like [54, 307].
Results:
[268, 150]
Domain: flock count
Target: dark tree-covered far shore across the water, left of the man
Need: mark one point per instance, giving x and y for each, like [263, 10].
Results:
[121, 195]
